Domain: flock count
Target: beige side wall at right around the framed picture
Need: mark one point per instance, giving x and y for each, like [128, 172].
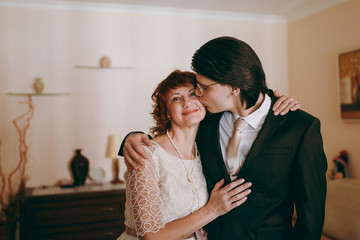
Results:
[314, 43]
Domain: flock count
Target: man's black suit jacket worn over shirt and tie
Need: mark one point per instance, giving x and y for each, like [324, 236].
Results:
[286, 164]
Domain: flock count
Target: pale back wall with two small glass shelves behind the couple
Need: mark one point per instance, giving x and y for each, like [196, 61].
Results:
[47, 42]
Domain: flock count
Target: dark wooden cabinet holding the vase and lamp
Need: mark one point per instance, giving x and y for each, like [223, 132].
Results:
[88, 212]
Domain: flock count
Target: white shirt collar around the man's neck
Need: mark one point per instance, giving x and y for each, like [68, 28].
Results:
[255, 118]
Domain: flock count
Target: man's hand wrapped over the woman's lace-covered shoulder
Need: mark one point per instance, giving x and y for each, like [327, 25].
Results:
[133, 152]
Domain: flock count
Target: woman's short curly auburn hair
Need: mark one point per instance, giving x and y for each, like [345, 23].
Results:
[176, 79]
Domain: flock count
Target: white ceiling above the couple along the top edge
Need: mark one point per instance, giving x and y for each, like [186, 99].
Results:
[286, 9]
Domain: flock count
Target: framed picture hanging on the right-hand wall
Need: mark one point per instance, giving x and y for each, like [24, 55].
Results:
[349, 78]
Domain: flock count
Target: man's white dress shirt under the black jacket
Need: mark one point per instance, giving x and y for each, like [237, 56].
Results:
[255, 122]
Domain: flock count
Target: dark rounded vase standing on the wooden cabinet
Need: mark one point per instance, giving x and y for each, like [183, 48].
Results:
[79, 168]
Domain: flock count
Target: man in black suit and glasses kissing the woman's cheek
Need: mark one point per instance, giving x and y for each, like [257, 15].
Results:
[282, 156]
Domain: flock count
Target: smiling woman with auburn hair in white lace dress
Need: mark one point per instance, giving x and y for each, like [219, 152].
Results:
[167, 197]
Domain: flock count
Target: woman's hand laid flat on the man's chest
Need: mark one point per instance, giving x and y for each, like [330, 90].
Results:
[223, 200]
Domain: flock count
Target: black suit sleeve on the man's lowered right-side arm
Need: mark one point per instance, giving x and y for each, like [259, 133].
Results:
[310, 185]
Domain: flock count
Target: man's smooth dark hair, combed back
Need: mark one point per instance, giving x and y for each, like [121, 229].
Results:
[230, 61]
